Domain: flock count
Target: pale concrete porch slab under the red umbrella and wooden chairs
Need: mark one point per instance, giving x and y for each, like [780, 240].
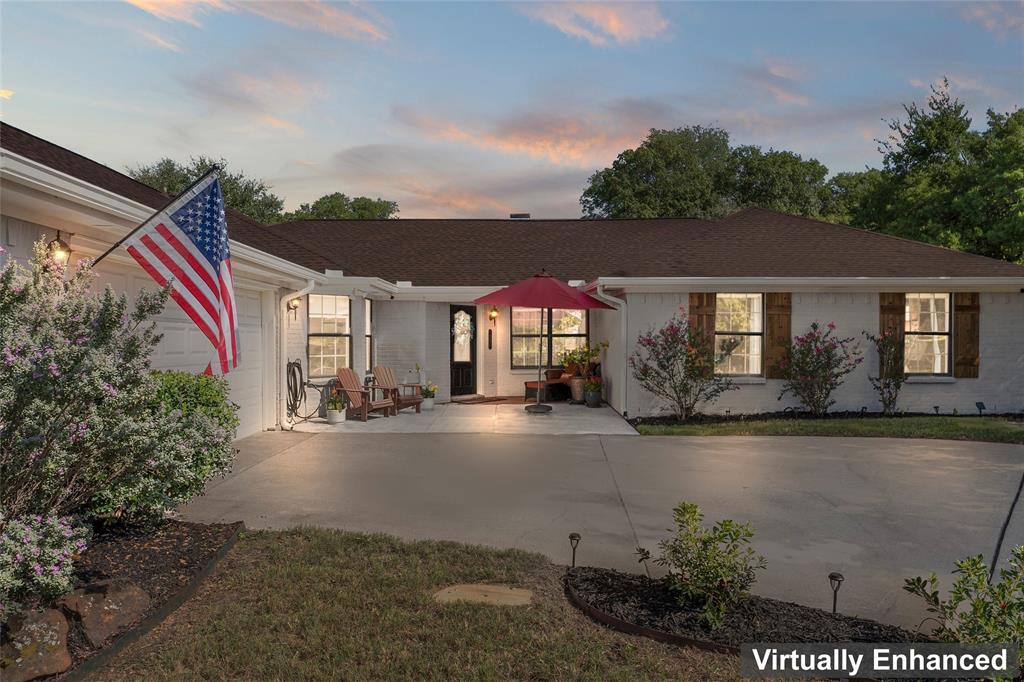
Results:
[565, 419]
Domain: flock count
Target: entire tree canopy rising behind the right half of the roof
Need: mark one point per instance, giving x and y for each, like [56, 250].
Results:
[941, 181]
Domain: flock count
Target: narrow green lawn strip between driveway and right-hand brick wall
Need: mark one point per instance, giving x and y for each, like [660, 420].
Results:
[992, 430]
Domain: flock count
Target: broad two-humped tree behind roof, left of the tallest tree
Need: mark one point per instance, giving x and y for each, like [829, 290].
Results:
[694, 174]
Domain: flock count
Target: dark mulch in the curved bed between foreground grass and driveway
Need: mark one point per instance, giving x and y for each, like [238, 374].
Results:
[652, 604]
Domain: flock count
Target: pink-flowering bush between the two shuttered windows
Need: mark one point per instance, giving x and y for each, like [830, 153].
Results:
[816, 366]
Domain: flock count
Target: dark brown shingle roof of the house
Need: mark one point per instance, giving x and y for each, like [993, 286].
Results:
[443, 252]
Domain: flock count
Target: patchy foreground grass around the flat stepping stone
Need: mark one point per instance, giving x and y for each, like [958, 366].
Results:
[314, 605]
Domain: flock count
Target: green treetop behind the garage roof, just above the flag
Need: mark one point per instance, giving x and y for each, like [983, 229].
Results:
[249, 196]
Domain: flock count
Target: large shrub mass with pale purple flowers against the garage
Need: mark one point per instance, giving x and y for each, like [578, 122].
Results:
[81, 431]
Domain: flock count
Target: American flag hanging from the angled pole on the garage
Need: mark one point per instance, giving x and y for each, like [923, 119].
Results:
[187, 245]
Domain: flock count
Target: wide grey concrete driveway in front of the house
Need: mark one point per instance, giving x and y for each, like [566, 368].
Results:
[878, 510]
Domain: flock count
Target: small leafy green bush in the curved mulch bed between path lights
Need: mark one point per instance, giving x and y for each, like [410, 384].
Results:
[711, 570]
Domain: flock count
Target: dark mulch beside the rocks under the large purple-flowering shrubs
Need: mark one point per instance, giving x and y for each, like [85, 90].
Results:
[161, 560]
